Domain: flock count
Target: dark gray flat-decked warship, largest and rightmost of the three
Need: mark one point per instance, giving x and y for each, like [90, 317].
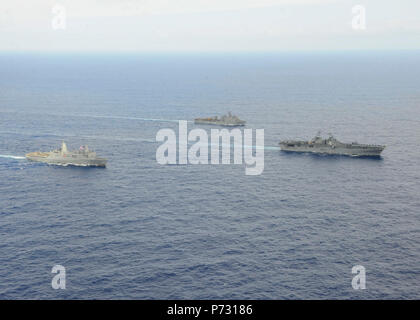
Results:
[331, 145]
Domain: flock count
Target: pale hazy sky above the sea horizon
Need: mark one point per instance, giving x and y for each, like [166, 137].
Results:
[206, 25]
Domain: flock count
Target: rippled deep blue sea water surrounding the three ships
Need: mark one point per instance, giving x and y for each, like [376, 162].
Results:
[140, 230]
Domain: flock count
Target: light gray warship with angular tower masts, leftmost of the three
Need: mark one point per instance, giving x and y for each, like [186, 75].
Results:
[82, 157]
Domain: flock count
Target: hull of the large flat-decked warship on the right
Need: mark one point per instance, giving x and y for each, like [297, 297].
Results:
[353, 152]
